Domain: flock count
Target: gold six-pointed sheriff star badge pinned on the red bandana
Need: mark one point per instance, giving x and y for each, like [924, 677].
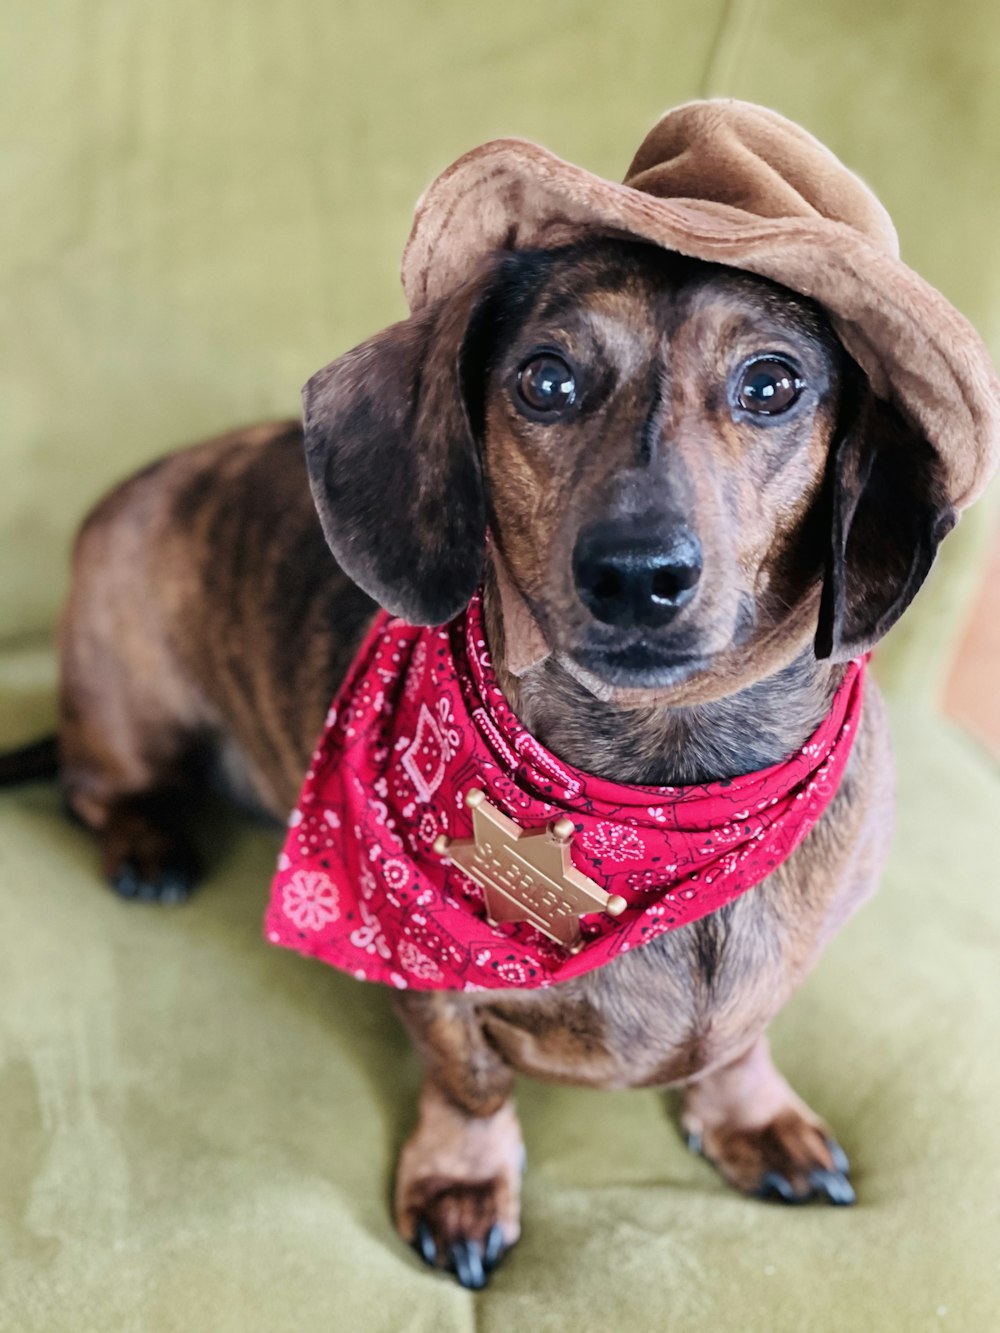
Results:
[527, 876]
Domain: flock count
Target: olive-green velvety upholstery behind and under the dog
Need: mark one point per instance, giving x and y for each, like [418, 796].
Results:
[202, 205]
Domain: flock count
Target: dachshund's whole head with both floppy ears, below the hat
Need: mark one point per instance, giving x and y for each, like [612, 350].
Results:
[682, 470]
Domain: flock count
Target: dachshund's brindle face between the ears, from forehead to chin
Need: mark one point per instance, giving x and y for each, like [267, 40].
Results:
[655, 441]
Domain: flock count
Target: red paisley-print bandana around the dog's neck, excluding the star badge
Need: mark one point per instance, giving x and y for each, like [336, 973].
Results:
[418, 723]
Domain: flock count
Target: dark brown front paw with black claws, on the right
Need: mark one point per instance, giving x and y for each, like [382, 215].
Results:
[790, 1160]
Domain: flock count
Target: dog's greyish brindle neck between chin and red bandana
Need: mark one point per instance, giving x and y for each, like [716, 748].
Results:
[663, 746]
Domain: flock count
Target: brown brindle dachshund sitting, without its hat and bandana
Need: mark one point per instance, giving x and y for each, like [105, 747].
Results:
[694, 418]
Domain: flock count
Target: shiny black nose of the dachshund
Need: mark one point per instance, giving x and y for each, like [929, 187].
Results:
[633, 582]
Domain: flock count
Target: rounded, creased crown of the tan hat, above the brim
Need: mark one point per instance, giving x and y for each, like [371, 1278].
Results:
[745, 157]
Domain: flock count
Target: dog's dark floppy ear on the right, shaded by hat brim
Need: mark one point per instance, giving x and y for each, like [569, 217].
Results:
[890, 511]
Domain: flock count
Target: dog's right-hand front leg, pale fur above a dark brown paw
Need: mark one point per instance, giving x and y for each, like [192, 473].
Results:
[763, 1139]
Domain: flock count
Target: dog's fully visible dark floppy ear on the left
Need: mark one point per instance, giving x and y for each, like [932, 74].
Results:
[394, 466]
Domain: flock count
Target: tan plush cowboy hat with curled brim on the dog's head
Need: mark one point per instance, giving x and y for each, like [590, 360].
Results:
[737, 185]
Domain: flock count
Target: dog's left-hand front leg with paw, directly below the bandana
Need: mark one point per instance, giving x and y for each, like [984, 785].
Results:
[459, 1176]
